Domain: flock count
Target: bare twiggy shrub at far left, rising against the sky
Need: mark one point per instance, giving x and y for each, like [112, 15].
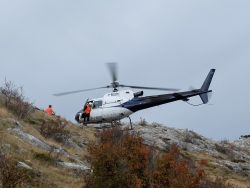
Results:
[14, 100]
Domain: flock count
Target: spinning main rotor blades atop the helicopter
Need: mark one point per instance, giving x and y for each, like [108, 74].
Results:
[114, 84]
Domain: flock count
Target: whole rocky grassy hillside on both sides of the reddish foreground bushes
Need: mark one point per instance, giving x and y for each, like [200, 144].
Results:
[61, 159]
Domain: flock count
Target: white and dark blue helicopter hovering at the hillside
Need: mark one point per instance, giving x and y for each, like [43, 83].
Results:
[120, 104]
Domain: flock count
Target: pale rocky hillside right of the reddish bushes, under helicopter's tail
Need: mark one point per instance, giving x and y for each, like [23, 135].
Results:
[230, 160]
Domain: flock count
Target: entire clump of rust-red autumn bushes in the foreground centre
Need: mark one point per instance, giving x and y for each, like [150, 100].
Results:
[121, 159]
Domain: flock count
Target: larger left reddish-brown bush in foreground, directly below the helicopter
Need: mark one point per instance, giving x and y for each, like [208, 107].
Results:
[120, 160]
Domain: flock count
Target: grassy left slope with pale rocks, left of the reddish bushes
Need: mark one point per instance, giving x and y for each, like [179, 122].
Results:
[55, 161]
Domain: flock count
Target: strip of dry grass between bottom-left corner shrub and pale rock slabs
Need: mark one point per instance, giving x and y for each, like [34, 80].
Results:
[55, 176]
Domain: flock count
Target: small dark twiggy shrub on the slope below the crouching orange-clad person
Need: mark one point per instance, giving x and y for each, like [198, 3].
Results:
[54, 128]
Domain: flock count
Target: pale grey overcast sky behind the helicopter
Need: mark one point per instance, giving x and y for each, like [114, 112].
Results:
[54, 46]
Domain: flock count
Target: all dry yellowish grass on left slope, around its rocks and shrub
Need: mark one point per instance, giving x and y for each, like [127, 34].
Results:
[50, 174]
